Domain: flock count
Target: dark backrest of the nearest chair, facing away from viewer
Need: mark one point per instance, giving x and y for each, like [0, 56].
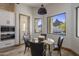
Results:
[36, 49]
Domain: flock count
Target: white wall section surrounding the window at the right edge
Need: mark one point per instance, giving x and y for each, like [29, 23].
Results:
[75, 40]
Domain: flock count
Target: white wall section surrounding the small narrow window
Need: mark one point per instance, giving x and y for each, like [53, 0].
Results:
[35, 15]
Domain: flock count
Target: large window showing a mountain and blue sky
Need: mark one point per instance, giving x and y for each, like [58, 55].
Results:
[57, 24]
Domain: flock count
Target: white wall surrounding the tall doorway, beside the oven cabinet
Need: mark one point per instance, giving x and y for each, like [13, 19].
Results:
[22, 9]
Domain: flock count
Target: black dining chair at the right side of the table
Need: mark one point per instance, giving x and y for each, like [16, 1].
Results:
[58, 46]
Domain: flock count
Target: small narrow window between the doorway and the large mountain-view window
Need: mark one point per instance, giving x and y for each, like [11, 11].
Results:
[38, 25]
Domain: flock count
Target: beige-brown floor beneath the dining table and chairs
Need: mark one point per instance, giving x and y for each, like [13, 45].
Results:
[19, 51]
